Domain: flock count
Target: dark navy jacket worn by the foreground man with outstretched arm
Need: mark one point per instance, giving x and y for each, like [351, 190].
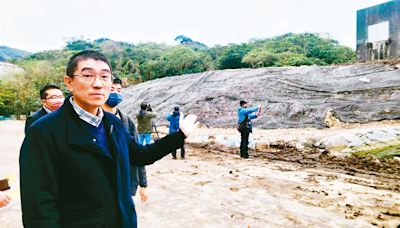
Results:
[67, 180]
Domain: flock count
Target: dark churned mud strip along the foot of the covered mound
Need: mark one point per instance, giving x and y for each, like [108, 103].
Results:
[385, 173]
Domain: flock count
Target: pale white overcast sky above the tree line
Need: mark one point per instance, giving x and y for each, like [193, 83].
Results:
[36, 25]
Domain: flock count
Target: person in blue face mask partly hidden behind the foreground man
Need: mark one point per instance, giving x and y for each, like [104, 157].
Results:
[138, 173]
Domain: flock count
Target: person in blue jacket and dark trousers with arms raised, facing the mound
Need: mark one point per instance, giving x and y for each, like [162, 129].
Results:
[245, 115]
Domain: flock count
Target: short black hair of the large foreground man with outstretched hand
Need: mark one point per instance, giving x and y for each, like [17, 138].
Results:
[84, 55]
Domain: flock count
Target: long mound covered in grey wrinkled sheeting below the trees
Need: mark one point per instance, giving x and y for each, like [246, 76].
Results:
[292, 97]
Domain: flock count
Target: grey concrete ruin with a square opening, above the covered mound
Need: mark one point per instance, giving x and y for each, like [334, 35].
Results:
[378, 31]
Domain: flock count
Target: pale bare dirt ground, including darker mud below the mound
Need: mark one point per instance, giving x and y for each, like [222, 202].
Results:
[278, 187]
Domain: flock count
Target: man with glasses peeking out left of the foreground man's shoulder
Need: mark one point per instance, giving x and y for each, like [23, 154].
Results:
[52, 98]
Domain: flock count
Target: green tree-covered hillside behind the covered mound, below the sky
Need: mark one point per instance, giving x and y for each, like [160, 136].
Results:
[135, 63]
